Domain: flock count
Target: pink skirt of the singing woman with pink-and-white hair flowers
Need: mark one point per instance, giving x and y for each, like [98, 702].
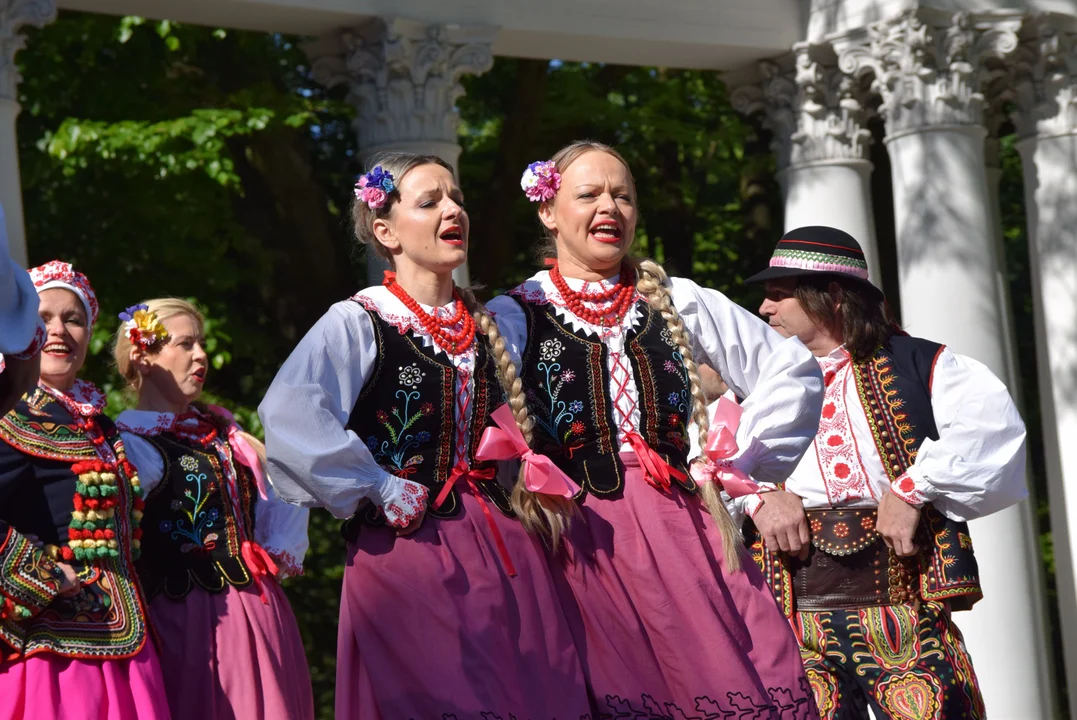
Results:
[663, 626]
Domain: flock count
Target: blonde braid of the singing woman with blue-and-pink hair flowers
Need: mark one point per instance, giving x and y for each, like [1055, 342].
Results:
[539, 513]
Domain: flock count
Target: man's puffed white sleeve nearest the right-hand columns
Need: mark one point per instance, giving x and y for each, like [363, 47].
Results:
[976, 467]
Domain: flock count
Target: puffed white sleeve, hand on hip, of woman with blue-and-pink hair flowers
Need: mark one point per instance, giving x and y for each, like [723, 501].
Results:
[315, 461]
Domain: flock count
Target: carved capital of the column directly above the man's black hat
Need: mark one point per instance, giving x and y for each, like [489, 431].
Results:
[813, 108]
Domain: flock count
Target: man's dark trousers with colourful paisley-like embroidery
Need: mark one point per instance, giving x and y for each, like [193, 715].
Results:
[908, 662]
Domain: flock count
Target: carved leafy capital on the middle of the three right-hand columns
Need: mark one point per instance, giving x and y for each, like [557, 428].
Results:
[928, 74]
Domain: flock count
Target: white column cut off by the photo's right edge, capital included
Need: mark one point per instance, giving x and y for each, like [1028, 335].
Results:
[1045, 84]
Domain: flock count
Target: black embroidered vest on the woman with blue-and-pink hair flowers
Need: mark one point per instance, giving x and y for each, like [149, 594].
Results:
[405, 416]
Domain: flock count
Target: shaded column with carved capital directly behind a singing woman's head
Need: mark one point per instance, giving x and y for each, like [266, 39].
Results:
[404, 81]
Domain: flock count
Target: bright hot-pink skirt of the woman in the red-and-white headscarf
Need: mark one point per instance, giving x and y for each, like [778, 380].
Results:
[50, 687]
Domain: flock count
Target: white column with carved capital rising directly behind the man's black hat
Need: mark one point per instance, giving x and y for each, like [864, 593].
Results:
[818, 122]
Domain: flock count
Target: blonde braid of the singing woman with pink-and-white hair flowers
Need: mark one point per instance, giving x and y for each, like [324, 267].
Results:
[652, 284]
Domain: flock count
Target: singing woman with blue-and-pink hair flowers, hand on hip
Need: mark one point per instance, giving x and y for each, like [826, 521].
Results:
[393, 412]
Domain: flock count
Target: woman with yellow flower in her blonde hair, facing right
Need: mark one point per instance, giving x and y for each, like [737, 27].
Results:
[217, 541]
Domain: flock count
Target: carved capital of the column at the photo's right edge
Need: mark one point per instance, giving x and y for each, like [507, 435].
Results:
[1045, 81]
